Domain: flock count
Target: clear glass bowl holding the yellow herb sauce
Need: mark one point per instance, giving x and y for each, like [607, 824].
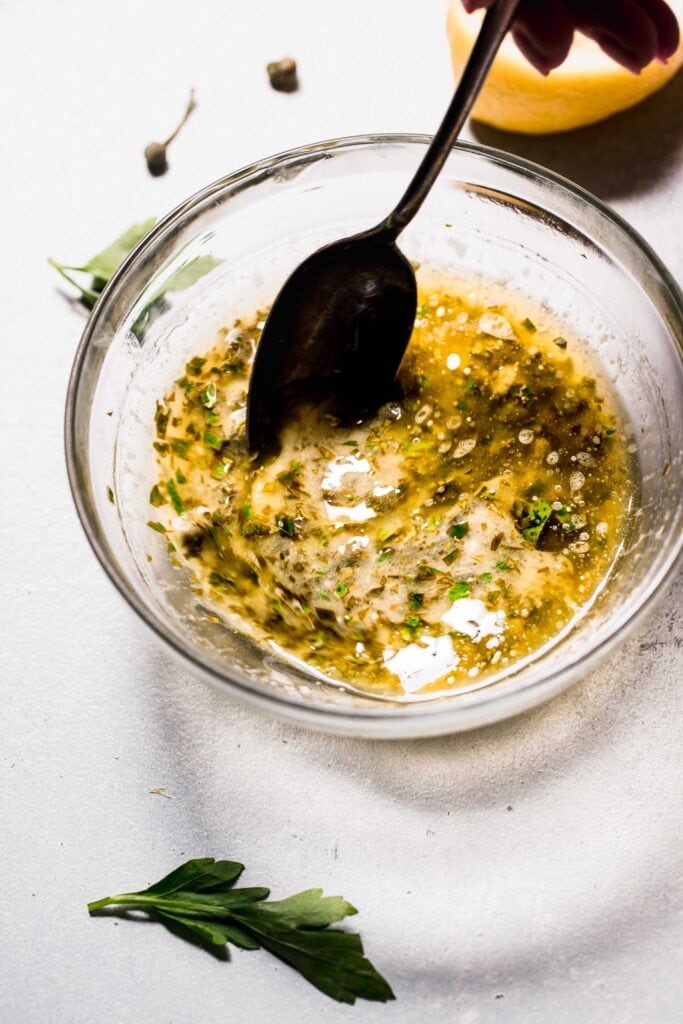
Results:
[226, 252]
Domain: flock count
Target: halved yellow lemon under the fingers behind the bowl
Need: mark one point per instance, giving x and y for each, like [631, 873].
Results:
[588, 88]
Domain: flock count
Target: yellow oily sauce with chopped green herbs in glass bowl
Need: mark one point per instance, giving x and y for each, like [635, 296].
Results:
[447, 539]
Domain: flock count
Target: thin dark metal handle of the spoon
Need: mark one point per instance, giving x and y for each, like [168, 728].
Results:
[495, 26]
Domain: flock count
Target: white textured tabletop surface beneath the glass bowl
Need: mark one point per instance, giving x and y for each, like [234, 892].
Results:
[527, 874]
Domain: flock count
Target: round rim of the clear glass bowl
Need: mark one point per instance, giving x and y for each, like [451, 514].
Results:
[473, 710]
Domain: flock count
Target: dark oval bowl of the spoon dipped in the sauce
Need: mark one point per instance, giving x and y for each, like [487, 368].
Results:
[352, 308]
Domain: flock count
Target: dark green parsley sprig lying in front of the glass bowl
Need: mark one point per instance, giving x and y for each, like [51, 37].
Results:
[199, 903]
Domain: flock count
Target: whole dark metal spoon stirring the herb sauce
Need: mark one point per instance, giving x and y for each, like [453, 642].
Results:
[339, 327]
